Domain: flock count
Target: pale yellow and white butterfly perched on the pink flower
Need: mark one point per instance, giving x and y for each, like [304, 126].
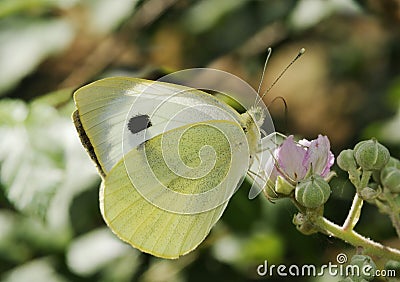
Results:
[171, 156]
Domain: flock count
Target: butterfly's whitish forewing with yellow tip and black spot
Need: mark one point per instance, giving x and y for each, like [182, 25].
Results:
[106, 106]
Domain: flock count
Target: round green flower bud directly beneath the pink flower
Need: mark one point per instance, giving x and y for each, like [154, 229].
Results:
[313, 192]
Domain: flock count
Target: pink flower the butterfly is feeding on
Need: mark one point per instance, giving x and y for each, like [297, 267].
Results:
[294, 161]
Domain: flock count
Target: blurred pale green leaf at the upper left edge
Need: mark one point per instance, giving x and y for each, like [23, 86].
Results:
[24, 44]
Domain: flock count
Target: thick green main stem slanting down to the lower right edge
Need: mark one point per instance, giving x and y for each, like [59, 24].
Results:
[355, 239]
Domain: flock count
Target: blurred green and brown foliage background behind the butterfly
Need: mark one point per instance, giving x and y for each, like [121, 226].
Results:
[346, 86]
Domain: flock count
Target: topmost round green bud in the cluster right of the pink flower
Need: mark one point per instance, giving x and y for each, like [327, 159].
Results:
[371, 155]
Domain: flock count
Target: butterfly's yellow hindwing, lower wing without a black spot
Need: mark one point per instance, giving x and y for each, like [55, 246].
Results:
[150, 227]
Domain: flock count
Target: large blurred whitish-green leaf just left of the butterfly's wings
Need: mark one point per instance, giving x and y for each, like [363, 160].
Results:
[40, 159]
